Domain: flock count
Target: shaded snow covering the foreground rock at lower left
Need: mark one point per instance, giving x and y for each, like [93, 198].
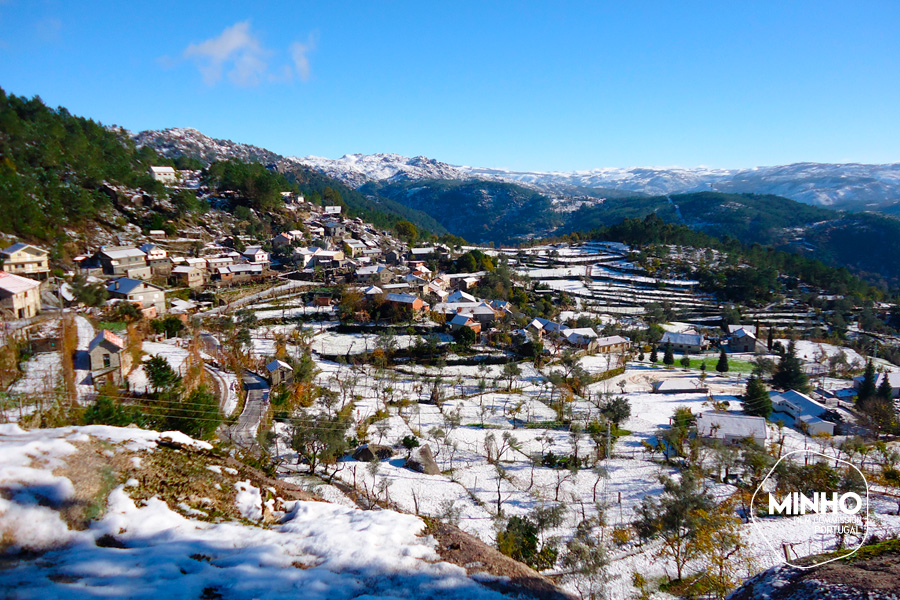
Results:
[314, 550]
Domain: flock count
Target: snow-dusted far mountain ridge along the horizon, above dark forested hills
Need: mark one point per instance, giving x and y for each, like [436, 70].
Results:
[852, 186]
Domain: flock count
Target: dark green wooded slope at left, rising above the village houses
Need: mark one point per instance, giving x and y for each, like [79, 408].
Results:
[56, 170]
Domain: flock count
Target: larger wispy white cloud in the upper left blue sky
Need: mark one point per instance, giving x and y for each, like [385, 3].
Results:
[238, 54]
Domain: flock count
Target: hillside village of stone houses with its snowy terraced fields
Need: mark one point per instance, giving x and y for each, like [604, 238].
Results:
[541, 398]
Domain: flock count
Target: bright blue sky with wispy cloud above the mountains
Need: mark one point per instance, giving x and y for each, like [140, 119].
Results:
[522, 85]
